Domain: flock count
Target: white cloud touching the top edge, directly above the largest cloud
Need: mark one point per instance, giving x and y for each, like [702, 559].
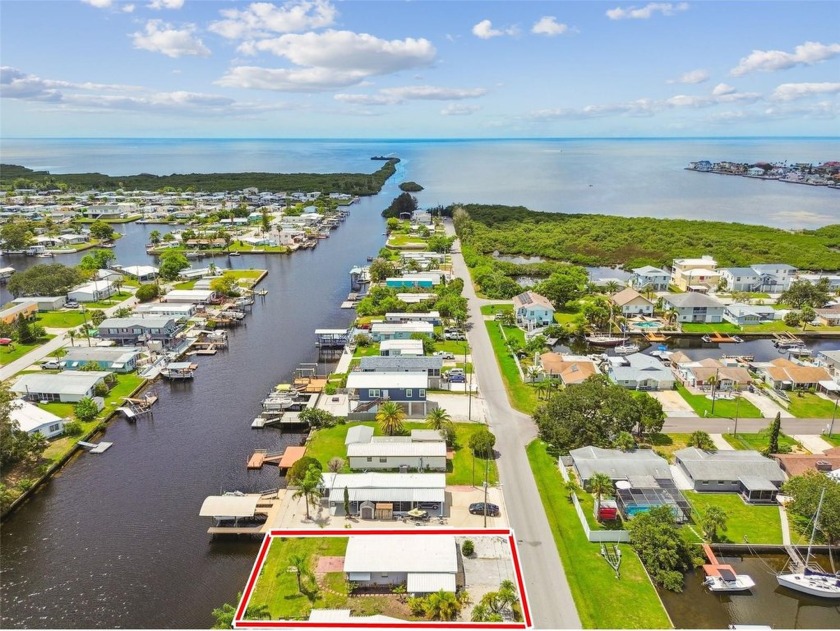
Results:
[264, 19]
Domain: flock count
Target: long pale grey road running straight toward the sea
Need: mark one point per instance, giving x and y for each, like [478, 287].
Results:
[548, 592]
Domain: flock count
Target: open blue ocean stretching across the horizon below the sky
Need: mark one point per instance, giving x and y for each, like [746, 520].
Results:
[630, 177]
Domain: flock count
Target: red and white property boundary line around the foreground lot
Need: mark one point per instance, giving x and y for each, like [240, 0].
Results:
[239, 621]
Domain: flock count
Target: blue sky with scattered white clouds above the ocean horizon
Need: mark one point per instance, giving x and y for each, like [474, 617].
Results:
[418, 69]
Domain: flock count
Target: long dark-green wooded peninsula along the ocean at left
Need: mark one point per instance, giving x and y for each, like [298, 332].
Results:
[14, 176]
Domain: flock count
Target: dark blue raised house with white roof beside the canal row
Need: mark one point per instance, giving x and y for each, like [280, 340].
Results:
[370, 389]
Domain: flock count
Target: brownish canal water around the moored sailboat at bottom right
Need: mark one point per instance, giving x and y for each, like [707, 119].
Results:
[766, 604]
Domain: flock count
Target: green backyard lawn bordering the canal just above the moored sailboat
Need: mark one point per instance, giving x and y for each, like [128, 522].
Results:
[759, 524]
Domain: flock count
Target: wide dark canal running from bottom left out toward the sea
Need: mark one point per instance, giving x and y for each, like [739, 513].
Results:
[115, 540]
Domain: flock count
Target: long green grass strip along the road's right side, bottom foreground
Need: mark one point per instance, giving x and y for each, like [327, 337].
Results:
[602, 601]
